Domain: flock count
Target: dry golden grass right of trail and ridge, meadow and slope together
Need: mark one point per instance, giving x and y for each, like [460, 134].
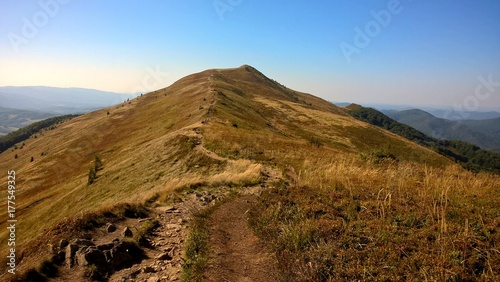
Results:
[363, 205]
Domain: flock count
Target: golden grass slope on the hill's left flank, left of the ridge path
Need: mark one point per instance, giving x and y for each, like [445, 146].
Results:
[144, 145]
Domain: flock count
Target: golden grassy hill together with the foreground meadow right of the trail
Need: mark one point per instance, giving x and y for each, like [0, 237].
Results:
[343, 179]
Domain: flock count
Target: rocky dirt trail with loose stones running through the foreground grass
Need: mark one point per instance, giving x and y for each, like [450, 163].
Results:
[236, 254]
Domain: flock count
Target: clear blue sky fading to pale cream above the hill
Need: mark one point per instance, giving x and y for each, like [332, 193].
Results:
[416, 52]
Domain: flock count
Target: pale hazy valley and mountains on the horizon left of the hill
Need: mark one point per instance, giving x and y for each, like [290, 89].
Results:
[21, 106]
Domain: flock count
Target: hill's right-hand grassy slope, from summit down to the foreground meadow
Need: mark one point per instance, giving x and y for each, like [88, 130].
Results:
[268, 117]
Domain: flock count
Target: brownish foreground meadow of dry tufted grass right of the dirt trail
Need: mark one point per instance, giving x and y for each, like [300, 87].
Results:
[349, 220]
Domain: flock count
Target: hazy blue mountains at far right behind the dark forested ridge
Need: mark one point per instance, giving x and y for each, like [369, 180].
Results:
[484, 133]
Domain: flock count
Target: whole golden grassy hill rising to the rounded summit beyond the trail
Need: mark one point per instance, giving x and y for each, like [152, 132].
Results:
[145, 144]
